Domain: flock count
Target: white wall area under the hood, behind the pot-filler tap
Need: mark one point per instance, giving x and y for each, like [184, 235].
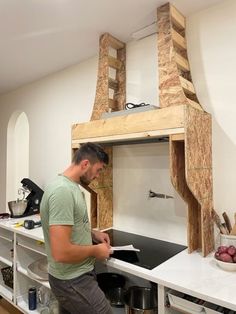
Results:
[138, 169]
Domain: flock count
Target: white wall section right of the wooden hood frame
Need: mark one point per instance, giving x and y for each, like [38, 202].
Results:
[212, 49]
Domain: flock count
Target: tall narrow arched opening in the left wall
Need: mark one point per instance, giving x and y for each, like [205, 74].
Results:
[17, 153]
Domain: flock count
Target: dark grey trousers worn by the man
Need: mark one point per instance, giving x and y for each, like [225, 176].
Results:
[80, 295]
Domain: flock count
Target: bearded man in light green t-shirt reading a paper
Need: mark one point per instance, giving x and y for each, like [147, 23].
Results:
[68, 236]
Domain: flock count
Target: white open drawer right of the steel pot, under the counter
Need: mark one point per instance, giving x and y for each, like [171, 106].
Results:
[179, 302]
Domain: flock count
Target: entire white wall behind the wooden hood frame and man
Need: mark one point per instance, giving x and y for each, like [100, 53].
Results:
[54, 103]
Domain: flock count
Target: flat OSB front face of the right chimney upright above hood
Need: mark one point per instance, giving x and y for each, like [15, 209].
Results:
[170, 89]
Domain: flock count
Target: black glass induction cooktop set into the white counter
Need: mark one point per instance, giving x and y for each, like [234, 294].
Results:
[152, 253]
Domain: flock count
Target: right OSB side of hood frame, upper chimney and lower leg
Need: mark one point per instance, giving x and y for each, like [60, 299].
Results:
[190, 154]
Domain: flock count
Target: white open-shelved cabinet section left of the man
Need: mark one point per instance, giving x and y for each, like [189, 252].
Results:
[19, 249]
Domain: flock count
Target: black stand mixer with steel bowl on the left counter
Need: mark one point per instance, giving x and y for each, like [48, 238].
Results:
[31, 202]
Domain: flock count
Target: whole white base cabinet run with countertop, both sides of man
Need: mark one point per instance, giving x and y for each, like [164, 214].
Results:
[185, 273]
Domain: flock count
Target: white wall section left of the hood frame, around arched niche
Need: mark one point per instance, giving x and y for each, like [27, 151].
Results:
[52, 105]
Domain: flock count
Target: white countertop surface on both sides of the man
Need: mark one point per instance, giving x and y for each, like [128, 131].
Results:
[189, 273]
